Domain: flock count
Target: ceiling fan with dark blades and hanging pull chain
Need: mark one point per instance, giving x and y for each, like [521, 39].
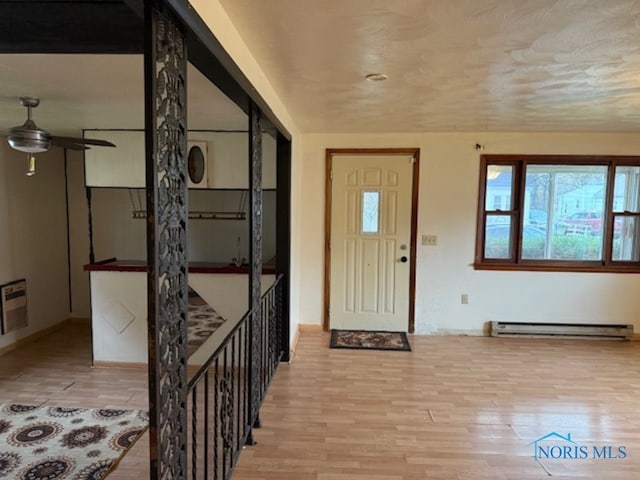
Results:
[31, 139]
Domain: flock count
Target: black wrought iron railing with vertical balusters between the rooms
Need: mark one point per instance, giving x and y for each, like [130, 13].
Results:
[221, 408]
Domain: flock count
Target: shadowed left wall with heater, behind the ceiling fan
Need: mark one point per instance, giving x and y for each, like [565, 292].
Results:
[33, 238]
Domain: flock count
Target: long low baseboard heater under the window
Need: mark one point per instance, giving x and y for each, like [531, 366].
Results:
[521, 329]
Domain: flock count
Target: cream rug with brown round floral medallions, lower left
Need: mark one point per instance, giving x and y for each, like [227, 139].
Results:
[42, 442]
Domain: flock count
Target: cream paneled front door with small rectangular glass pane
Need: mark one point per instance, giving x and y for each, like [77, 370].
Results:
[370, 242]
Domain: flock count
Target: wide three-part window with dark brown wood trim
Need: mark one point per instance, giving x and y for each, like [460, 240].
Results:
[559, 213]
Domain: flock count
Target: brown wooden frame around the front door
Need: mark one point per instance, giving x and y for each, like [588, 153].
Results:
[329, 159]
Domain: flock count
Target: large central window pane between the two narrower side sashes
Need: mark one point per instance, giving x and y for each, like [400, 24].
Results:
[563, 214]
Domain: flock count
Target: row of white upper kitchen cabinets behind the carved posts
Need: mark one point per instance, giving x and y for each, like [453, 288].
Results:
[227, 156]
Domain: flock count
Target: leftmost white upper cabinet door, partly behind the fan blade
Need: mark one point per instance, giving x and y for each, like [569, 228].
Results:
[122, 166]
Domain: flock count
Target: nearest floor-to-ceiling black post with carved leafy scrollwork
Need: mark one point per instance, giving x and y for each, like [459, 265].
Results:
[166, 127]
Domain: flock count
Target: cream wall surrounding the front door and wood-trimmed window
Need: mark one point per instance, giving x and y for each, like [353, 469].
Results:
[449, 170]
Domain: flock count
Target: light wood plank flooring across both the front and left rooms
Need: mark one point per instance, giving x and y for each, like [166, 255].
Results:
[455, 408]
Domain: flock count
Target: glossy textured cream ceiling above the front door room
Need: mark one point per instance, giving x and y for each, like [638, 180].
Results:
[495, 65]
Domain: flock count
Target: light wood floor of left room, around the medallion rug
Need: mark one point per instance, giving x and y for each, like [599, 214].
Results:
[55, 370]
